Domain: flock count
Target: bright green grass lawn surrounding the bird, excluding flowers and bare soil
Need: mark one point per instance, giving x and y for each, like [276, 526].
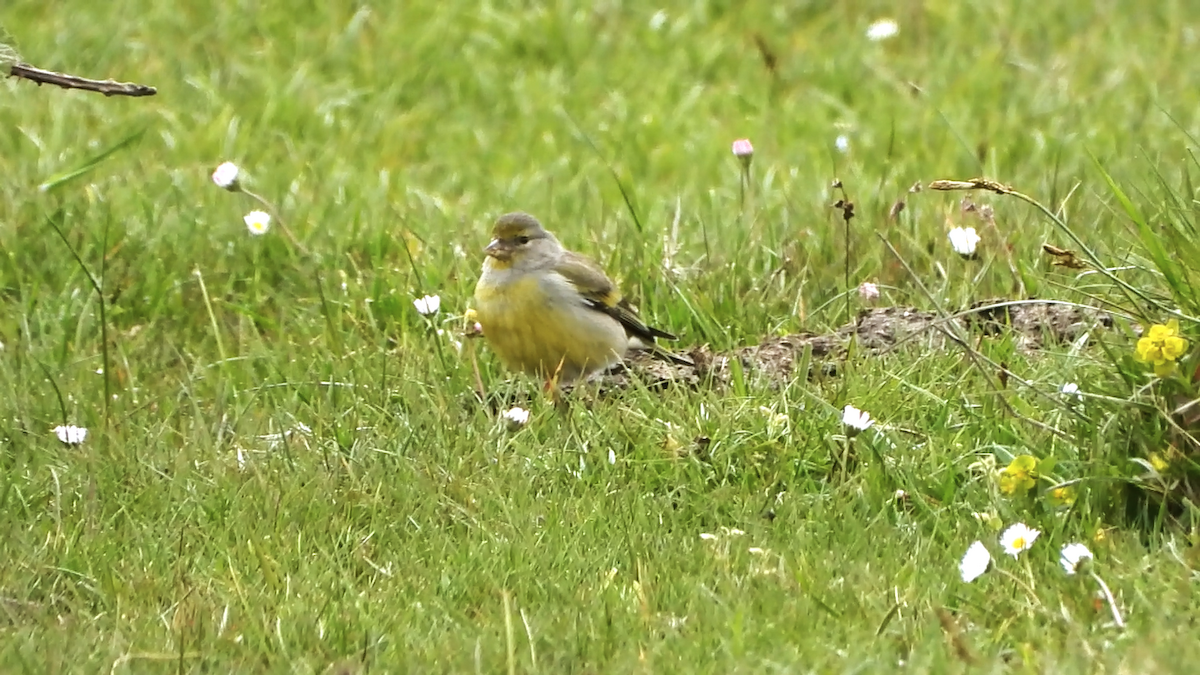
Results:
[290, 470]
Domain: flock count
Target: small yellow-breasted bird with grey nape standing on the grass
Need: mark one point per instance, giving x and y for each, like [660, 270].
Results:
[549, 312]
